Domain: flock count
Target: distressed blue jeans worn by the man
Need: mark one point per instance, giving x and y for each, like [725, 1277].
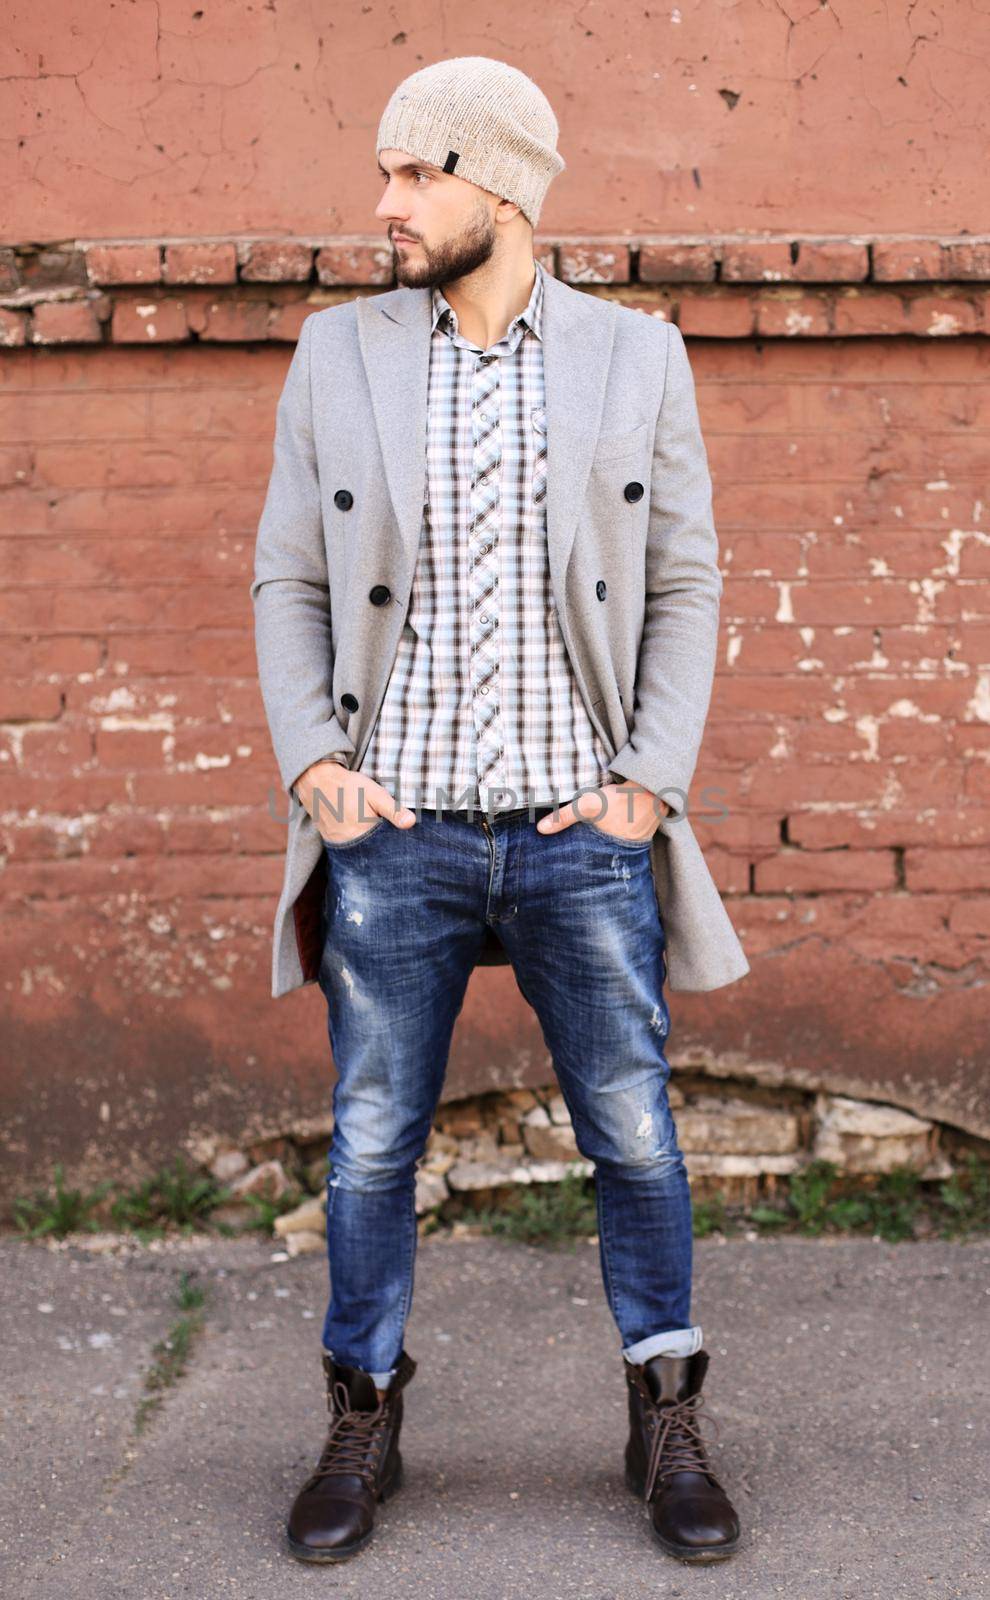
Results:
[578, 916]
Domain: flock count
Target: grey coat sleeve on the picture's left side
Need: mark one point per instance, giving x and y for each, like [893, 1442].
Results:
[292, 590]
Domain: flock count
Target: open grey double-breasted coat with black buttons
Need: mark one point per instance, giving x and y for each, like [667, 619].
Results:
[341, 526]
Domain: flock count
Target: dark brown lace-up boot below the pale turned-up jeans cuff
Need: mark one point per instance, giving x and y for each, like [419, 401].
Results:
[666, 1458]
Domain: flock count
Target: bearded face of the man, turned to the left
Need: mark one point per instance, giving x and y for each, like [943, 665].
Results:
[447, 220]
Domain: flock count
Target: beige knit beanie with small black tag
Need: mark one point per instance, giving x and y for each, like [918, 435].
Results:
[482, 121]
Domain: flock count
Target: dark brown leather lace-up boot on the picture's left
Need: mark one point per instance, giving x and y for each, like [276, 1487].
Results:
[333, 1514]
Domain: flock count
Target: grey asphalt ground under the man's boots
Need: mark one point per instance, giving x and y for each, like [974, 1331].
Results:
[850, 1380]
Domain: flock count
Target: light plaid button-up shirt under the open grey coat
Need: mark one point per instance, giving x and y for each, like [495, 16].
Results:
[482, 706]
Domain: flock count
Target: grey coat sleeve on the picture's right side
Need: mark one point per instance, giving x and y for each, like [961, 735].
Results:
[676, 666]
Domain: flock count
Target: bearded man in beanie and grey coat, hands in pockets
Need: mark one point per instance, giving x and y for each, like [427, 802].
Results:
[487, 607]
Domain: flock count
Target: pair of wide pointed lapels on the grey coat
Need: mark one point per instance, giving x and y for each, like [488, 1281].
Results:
[394, 334]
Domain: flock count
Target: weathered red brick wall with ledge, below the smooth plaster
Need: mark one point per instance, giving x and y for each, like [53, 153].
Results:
[848, 742]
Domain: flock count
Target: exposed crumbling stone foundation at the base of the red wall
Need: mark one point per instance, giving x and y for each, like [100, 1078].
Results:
[738, 1138]
